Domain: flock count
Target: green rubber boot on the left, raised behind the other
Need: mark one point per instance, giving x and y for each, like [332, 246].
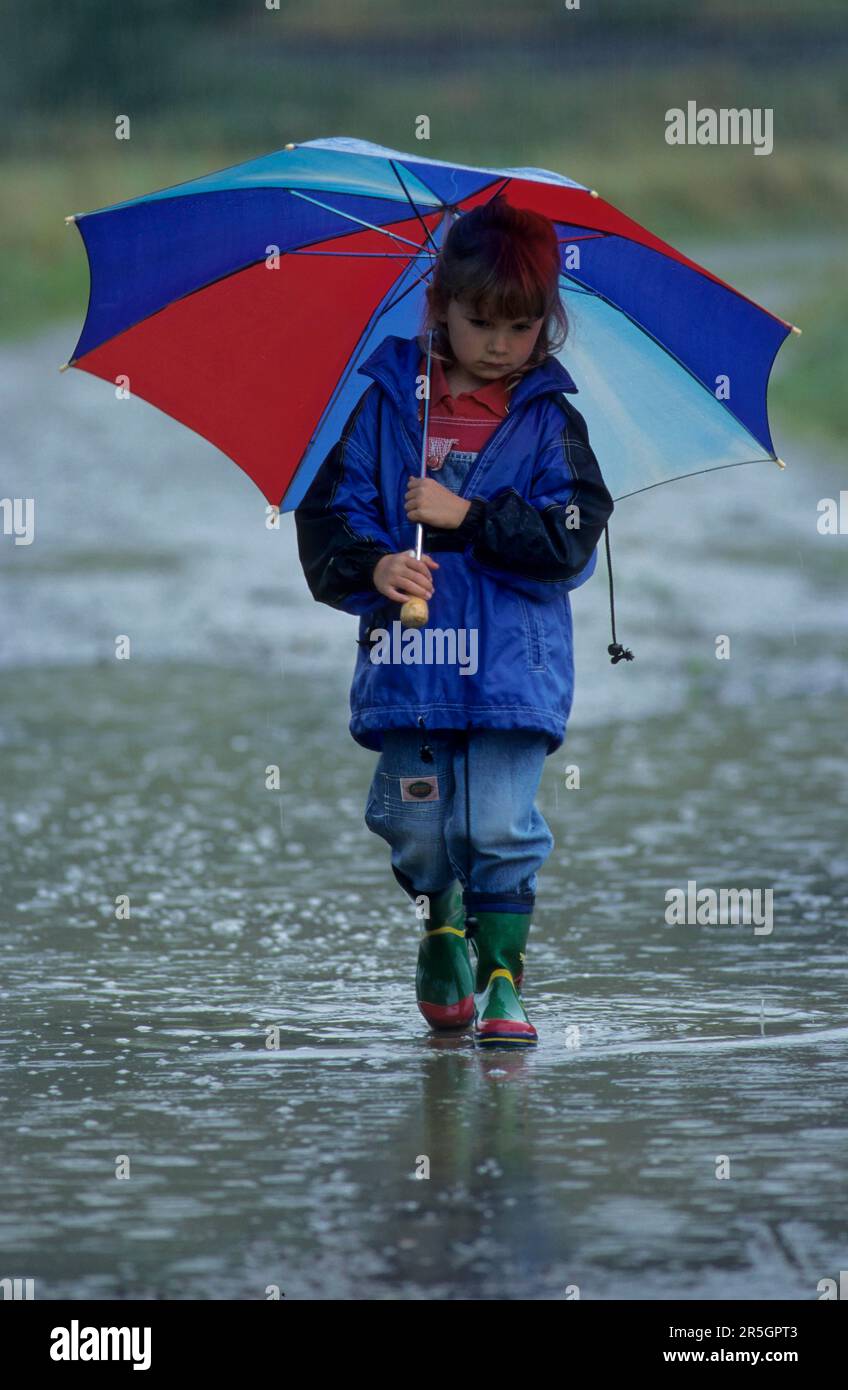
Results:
[444, 976]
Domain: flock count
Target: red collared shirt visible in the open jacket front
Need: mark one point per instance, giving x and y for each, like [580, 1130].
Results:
[459, 426]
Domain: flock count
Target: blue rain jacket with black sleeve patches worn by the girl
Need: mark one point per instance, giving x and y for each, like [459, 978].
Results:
[501, 594]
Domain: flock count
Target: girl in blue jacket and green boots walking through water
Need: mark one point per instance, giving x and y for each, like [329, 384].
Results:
[465, 711]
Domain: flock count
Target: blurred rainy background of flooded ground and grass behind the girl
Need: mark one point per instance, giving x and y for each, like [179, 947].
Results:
[593, 1164]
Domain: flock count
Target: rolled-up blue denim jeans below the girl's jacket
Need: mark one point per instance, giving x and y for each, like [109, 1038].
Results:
[494, 842]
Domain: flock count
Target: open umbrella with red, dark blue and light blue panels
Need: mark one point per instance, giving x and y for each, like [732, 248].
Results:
[243, 304]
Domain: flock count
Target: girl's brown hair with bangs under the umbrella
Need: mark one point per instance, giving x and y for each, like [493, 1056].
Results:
[503, 261]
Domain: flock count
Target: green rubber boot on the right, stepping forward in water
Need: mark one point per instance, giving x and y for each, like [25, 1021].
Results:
[500, 943]
